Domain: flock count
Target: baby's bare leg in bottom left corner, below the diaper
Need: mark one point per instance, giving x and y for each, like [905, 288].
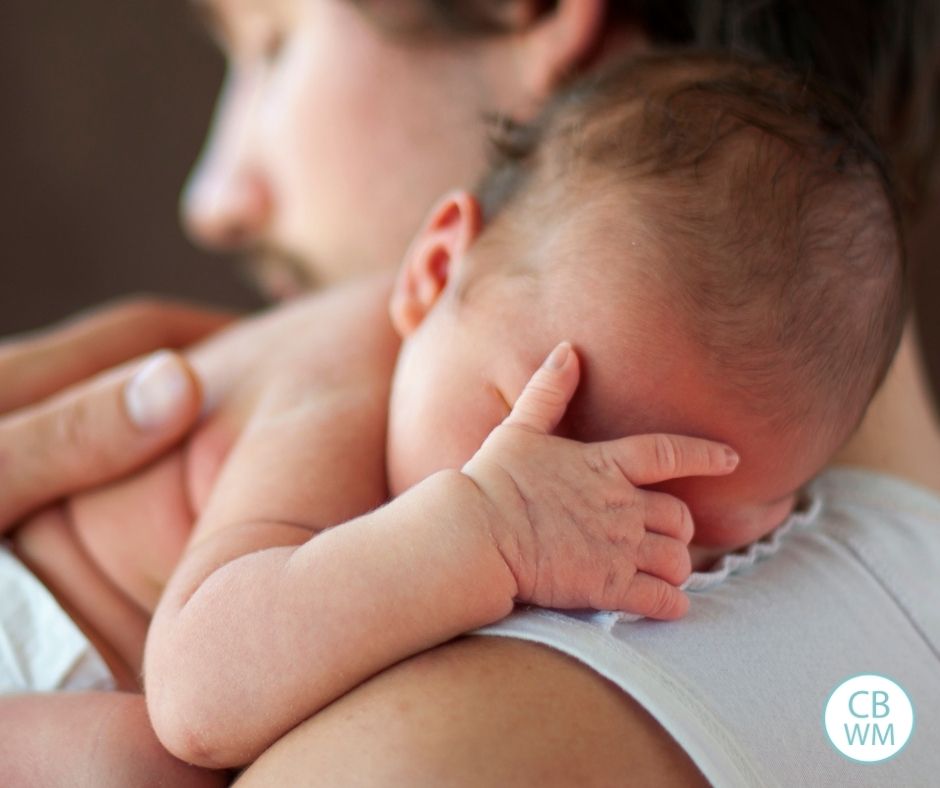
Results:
[79, 739]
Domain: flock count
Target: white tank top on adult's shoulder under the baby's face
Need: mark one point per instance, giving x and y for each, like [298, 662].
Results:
[846, 586]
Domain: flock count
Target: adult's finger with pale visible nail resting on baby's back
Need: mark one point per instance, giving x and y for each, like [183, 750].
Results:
[94, 432]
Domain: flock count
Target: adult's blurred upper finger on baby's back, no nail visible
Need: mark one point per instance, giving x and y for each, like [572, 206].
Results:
[37, 365]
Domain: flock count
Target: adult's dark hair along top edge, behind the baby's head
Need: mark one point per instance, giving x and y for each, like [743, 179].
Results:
[881, 56]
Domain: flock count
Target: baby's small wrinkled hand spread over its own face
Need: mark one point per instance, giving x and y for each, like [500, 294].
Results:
[569, 518]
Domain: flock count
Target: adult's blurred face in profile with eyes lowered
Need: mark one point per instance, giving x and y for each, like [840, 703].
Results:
[332, 137]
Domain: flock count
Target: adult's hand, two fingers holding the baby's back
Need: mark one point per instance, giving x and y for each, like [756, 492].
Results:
[65, 424]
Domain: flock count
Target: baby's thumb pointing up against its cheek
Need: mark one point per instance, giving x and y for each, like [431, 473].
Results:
[548, 392]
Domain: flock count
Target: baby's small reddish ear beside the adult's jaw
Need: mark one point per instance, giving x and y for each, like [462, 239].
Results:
[445, 237]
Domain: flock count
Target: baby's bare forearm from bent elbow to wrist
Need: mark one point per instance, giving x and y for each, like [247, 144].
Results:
[272, 637]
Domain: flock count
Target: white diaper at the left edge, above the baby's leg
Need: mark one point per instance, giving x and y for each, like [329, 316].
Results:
[41, 648]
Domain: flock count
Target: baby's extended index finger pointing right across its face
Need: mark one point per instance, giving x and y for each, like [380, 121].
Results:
[647, 459]
